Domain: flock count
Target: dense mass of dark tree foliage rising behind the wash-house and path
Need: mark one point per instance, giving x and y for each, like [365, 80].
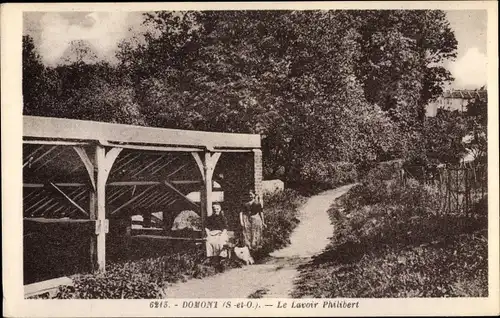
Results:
[342, 86]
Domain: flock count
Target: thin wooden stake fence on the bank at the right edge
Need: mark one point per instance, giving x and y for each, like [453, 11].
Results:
[458, 187]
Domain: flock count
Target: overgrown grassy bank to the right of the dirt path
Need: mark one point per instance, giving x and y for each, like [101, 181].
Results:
[389, 241]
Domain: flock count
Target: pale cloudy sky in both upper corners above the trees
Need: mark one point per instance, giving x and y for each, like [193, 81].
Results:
[54, 31]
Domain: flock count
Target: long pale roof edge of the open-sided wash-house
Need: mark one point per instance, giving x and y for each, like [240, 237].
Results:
[81, 130]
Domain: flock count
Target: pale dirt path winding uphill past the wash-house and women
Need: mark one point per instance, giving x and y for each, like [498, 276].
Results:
[274, 278]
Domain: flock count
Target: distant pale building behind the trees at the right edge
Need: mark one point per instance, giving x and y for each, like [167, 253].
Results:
[455, 100]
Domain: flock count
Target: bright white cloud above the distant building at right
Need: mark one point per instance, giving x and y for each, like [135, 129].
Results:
[470, 71]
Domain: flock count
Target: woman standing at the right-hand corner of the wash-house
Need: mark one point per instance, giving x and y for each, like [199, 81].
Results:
[252, 222]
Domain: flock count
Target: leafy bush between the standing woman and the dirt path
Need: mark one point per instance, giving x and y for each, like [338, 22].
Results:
[280, 213]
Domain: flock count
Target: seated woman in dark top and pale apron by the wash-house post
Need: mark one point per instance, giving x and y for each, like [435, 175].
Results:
[216, 229]
